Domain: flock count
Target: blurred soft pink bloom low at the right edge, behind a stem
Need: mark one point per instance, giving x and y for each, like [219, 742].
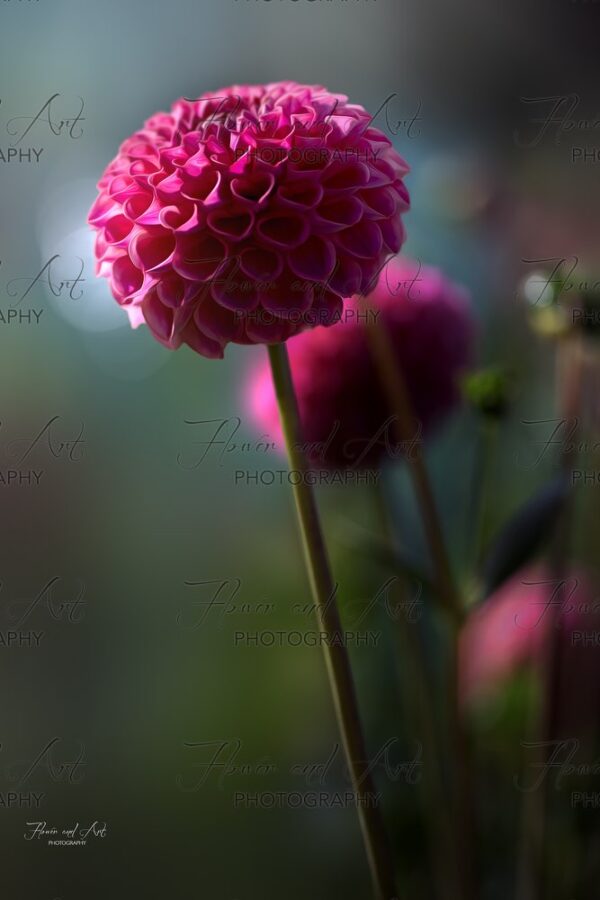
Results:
[507, 634]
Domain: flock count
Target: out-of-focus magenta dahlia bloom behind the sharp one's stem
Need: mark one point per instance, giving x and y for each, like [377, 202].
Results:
[344, 411]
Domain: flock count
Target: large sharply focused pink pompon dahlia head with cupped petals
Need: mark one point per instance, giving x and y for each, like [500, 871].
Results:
[248, 214]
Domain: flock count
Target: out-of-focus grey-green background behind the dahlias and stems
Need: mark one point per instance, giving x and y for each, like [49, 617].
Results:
[122, 676]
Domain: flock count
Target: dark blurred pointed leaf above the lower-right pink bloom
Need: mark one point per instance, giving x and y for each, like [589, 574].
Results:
[524, 534]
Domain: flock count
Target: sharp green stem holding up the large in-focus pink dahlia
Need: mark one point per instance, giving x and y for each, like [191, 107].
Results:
[336, 653]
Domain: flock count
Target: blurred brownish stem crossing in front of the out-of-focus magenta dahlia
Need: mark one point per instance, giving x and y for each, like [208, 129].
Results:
[393, 383]
